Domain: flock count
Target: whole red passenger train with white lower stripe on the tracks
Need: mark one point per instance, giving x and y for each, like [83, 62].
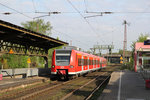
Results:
[66, 63]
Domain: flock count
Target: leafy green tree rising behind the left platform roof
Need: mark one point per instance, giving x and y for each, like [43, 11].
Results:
[38, 26]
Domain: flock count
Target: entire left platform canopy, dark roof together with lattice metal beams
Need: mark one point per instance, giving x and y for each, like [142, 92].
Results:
[17, 40]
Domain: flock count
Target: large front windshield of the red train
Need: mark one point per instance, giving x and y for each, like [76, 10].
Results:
[62, 57]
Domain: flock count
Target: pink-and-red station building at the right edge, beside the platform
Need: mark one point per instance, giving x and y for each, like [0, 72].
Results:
[142, 55]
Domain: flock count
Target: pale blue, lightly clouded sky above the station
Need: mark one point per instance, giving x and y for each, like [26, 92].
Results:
[72, 27]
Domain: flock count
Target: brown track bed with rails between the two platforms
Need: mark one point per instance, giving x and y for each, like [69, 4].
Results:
[62, 90]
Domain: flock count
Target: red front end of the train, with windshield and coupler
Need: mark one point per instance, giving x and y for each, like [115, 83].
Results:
[61, 66]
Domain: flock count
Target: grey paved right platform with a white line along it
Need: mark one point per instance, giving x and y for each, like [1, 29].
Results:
[125, 85]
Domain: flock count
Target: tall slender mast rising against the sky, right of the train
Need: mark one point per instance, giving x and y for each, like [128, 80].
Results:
[125, 40]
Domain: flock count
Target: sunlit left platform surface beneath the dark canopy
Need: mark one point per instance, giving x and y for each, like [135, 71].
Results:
[10, 83]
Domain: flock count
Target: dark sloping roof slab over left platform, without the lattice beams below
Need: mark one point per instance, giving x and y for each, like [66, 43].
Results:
[19, 35]
